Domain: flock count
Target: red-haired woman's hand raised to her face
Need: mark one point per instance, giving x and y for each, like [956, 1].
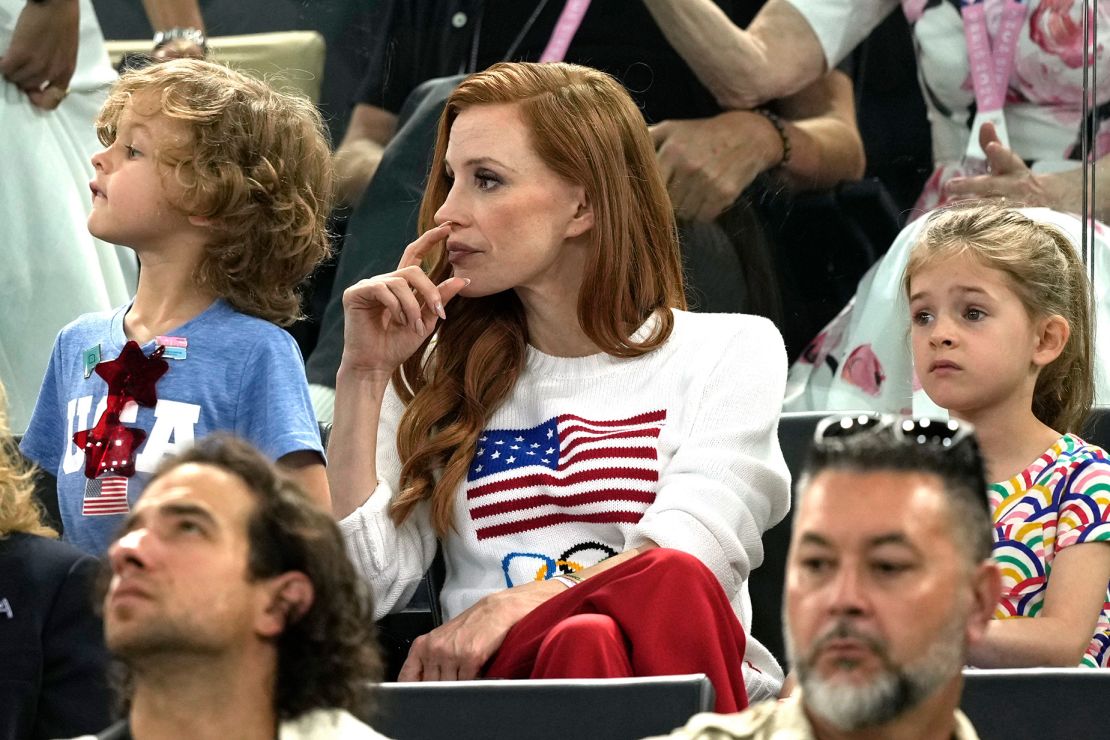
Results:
[389, 317]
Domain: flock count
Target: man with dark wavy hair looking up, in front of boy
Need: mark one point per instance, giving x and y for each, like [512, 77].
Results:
[235, 609]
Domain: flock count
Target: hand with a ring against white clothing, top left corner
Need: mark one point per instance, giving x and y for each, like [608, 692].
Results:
[43, 55]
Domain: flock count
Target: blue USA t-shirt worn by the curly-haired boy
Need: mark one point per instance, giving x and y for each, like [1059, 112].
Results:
[240, 374]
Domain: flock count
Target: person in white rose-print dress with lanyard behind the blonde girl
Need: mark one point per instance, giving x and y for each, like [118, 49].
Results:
[862, 359]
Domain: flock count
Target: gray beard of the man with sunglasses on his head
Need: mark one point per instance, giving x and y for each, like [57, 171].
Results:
[891, 694]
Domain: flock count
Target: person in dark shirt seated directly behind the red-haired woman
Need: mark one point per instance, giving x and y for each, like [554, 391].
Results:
[733, 262]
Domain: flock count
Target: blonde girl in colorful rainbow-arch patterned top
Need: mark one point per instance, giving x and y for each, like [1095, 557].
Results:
[1001, 310]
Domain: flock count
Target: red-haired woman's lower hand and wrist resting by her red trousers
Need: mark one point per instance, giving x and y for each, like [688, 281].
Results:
[459, 650]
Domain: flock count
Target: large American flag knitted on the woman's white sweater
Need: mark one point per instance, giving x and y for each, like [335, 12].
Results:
[567, 470]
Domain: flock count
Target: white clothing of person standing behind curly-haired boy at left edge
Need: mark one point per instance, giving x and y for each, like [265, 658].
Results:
[54, 271]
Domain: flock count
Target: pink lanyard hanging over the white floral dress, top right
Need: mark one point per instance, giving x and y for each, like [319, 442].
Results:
[991, 65]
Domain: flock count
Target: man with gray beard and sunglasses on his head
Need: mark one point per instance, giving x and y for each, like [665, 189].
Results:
[886, 590]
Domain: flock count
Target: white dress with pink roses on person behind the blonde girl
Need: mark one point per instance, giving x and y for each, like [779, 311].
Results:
[862, 360]
